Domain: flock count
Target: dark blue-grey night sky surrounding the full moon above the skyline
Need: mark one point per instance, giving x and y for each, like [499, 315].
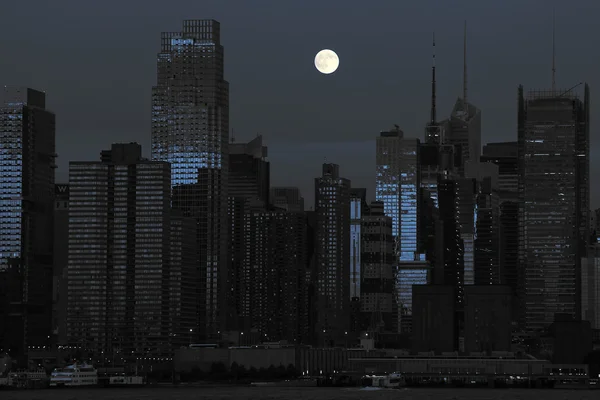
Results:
[96, 60]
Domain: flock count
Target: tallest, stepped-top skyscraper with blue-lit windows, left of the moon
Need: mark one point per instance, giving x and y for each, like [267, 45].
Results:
[190, 125]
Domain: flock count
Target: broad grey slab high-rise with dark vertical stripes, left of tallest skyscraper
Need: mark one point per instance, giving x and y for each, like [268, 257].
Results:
[126, 261]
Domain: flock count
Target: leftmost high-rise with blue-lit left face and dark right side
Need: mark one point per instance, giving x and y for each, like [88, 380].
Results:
[27, 164]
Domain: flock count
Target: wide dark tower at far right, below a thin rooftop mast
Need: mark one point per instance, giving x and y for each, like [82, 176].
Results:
[554, 199]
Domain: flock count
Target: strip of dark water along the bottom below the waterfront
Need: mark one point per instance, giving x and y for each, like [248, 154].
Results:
[251, 393]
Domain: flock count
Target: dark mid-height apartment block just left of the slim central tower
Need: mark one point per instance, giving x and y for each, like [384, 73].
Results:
[273, 272]
